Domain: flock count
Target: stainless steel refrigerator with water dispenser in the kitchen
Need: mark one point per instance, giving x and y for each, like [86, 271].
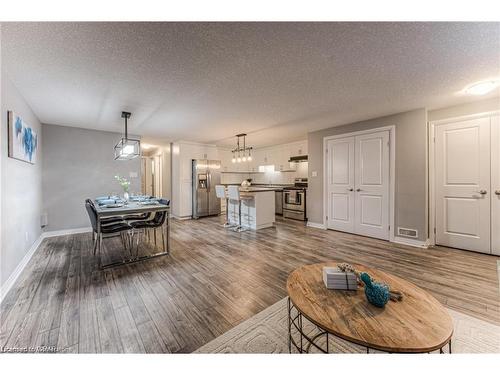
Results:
[206, 174]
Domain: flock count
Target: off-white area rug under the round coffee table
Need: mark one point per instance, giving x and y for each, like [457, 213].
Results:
[267, 332]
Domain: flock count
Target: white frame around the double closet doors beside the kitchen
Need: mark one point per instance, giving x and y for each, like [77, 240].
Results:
[392, 170]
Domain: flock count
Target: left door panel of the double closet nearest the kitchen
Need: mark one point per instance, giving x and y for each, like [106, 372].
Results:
[340, 174]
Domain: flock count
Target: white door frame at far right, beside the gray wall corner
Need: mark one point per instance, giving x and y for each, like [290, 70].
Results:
[432, 170]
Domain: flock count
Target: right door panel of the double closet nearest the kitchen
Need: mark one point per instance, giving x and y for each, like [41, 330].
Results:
[372, 185]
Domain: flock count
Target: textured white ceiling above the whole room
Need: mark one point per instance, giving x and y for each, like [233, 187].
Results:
[206, 82]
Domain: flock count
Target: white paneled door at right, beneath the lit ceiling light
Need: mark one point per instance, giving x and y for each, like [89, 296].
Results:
[462, 164]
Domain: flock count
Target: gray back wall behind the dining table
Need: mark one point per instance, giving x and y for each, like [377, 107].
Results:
[79, 164]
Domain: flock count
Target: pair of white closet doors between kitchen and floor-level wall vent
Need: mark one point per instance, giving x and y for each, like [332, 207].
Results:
[358, 184]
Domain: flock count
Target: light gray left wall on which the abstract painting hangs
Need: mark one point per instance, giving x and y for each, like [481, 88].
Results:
[21, 188]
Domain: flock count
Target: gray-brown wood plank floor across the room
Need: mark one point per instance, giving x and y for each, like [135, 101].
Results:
[213, 280]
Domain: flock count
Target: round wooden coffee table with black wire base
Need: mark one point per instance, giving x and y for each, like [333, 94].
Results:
[417, 324]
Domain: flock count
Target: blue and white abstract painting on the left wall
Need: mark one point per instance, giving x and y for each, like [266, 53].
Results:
[23, 140]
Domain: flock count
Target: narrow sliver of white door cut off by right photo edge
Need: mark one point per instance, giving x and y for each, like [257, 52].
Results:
[495, 185]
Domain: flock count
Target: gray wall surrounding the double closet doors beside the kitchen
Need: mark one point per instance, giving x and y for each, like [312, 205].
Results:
[411, 161]
